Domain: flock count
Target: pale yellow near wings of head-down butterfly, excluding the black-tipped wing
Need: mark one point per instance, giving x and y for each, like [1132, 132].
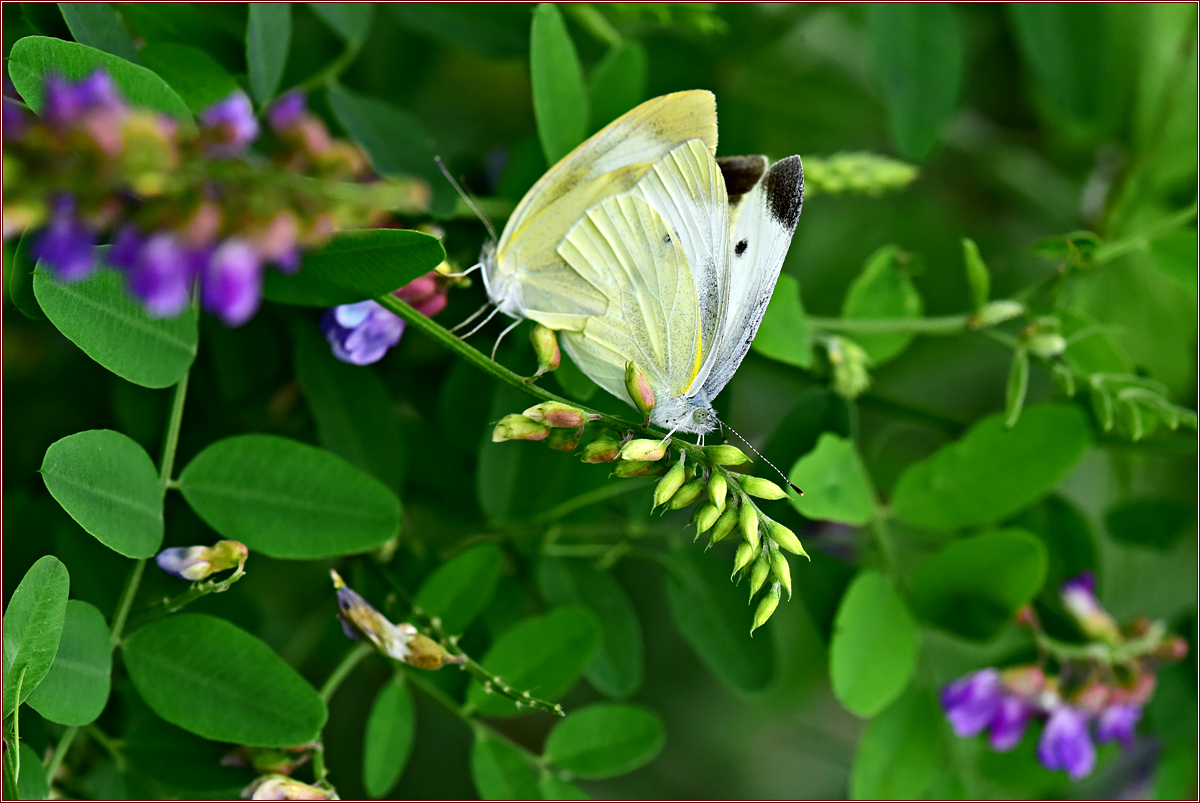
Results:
[656, 254]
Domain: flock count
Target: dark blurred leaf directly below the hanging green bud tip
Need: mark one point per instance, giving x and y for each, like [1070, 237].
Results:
[712, 615]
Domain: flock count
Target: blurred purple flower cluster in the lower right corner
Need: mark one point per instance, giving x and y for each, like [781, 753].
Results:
[1101, 687]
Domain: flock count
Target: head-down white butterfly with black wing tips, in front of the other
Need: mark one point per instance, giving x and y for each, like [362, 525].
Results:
[687, 260]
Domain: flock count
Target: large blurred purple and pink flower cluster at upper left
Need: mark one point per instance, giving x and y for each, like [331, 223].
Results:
[183, 208]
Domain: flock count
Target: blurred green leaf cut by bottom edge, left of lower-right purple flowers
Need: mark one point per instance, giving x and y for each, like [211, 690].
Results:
[901, 753]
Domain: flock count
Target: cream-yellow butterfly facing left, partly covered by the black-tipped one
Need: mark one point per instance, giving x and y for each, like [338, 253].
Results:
[525, 275]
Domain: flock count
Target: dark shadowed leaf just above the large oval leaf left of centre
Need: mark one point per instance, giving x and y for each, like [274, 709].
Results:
[355, 412]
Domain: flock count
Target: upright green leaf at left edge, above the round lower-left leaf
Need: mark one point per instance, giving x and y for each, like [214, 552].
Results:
[33, 628]
